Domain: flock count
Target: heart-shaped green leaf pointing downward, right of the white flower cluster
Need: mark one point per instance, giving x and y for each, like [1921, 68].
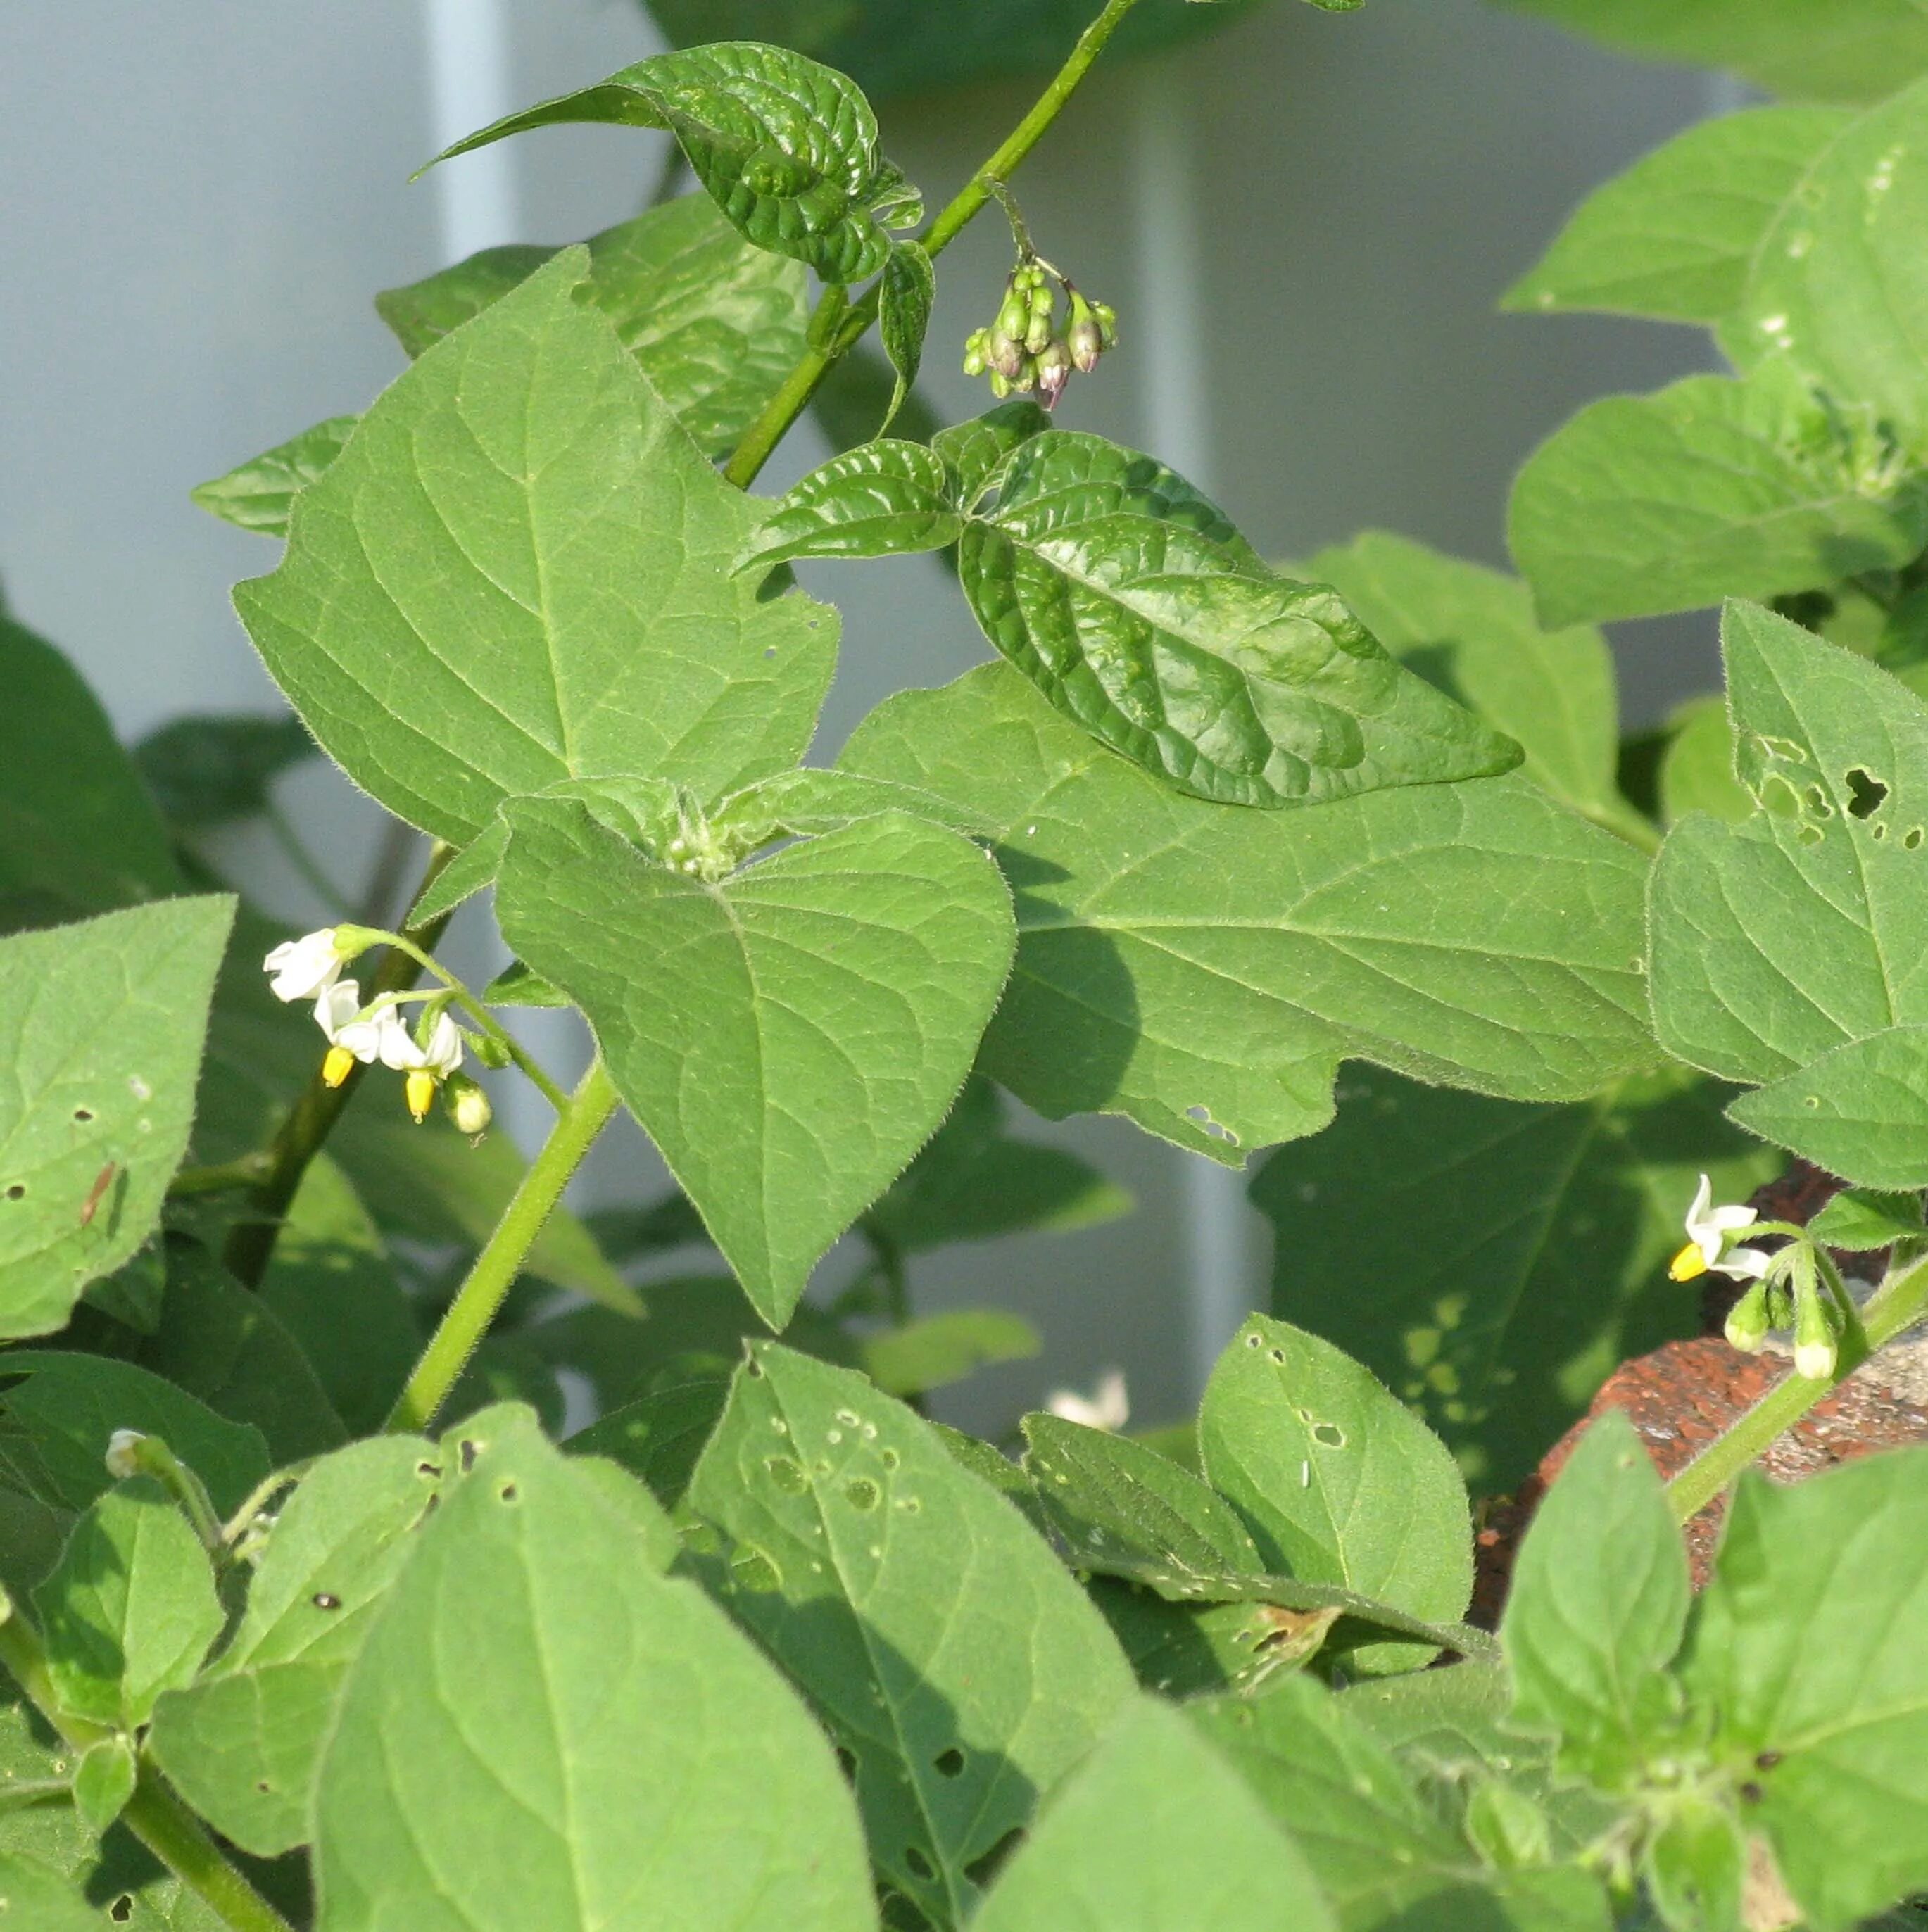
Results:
[857, 969]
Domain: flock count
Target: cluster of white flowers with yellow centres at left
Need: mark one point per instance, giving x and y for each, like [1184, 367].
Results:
[428, 1056]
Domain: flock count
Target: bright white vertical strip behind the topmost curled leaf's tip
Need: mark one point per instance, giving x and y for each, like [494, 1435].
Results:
[470, 86]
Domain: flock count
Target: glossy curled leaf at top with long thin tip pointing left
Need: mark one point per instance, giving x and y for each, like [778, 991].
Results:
[785, 146]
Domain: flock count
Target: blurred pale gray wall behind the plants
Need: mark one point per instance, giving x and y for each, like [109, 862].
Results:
[200, 198]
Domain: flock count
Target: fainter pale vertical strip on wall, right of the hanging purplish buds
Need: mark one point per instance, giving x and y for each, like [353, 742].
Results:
[1177, 428]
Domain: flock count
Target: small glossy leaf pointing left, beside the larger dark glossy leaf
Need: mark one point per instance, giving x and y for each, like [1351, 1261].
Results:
[882, 499]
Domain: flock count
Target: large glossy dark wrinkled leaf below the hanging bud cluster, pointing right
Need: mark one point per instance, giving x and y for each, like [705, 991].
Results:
[1139, 611]
